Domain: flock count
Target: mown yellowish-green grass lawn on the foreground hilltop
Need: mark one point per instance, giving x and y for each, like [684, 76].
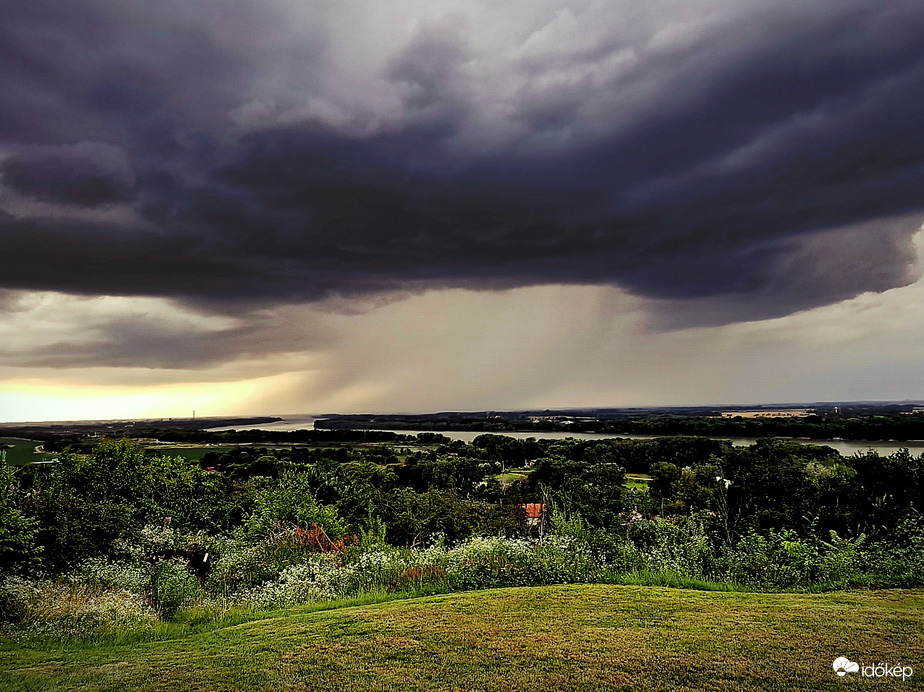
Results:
[585, 637]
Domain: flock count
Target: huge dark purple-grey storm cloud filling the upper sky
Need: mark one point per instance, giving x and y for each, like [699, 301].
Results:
[736, 158]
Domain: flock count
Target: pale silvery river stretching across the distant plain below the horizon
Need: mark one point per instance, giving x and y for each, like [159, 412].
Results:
[845, 447]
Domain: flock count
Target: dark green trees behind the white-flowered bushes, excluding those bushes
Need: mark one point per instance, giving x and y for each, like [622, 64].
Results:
[54, 516]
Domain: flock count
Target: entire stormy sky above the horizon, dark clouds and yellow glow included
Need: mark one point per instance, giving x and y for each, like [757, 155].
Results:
[241, 207]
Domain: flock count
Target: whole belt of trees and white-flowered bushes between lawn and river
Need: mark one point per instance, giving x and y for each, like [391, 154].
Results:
[121, 543]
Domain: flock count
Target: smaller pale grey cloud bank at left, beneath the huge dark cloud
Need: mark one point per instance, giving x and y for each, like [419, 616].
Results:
[54, 331]
